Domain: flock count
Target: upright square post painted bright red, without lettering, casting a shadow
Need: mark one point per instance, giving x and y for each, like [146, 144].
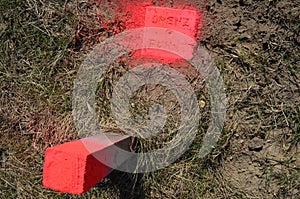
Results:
[72, 168]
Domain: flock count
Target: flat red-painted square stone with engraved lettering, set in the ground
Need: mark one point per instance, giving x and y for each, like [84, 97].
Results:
[181, 20]
